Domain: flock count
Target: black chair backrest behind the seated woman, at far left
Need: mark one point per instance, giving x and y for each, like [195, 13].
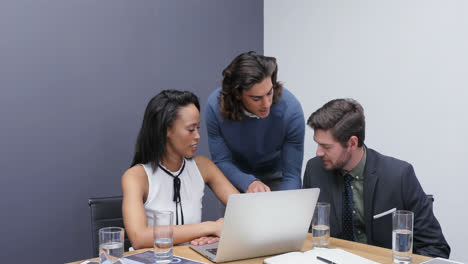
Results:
[105, 212]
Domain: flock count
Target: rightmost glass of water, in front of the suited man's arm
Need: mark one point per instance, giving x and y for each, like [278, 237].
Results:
[402, 236]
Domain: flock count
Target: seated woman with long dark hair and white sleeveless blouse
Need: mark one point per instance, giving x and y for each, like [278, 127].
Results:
[165, 174]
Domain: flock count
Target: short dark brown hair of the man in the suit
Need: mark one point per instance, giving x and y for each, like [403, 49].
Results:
[344, 117]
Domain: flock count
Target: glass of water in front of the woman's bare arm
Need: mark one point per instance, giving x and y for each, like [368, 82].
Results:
[163, 236]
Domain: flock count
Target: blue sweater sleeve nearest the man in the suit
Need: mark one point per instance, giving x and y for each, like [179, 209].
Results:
[292, 152]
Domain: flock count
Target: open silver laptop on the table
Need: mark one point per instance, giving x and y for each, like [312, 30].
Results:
[261, 224]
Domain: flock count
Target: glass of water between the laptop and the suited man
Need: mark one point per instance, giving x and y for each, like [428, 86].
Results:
[321, 225]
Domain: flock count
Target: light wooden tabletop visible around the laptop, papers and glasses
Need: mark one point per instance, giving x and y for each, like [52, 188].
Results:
[378, 254]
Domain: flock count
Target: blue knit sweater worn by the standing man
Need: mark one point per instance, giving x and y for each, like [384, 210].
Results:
[243, 148]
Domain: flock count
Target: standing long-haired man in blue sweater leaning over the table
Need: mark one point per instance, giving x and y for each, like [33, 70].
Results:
[256, 127]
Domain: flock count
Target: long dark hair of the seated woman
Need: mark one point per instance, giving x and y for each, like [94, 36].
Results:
[160, 114]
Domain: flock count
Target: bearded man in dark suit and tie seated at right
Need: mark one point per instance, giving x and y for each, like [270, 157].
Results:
[359, 183]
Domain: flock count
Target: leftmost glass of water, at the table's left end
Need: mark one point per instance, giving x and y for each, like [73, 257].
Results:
[111, 245]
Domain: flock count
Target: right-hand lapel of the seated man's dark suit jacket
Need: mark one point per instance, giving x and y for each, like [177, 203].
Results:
[370, 180]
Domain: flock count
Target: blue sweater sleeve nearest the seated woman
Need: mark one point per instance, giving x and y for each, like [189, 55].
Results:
[220, 153]
